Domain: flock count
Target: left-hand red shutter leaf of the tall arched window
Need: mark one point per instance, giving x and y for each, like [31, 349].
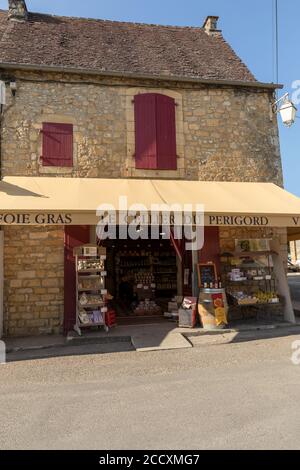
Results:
[145, 131]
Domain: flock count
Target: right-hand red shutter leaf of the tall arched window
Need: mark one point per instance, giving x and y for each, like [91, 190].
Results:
[166, 133]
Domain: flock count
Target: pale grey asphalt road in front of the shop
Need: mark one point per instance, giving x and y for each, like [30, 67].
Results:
[242, 395]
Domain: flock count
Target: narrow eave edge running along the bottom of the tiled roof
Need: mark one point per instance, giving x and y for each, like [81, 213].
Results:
[173, 78]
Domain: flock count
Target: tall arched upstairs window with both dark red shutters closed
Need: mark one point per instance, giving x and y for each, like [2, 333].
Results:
[155, 132]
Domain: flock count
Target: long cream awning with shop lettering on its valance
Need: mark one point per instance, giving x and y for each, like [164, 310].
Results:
[225, 203]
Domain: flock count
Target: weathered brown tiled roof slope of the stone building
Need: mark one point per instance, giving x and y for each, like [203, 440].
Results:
[110, 46]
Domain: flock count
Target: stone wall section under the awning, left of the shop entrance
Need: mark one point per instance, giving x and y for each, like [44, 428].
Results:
[34, 280]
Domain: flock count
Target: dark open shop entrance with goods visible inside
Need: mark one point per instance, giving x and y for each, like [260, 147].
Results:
[142, 276]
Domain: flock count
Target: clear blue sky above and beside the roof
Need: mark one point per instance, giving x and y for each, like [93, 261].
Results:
[246, 24]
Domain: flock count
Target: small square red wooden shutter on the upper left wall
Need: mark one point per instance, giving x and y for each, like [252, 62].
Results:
[57, 144]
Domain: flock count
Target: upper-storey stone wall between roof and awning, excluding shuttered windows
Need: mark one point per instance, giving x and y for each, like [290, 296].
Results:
[223, 133]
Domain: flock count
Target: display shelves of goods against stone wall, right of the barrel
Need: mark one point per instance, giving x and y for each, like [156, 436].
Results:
[255, 280]
